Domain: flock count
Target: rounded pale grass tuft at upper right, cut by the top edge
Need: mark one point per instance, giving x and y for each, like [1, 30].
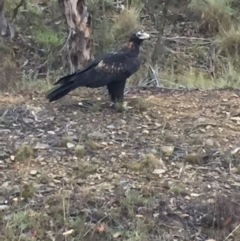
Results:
[212, 14]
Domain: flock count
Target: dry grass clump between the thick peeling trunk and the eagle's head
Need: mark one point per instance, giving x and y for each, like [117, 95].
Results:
[114, 26]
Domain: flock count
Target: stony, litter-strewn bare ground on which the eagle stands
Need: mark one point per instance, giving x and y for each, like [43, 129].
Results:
[166, 168]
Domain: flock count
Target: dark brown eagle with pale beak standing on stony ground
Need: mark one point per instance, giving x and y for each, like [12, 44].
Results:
[111, 70]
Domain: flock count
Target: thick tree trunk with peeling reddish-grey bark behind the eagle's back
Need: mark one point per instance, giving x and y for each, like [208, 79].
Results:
[79, 42]
